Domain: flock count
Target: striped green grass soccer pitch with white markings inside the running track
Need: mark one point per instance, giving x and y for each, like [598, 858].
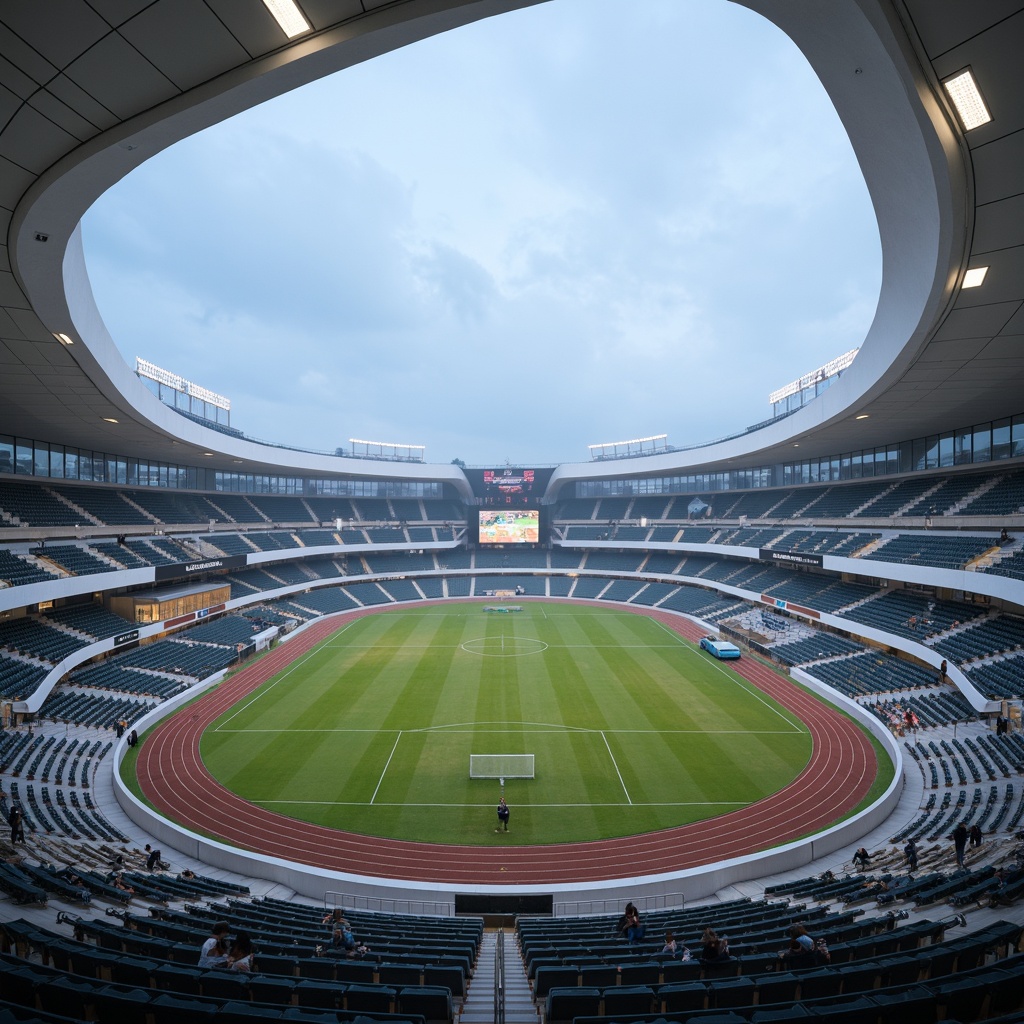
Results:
[632, 728]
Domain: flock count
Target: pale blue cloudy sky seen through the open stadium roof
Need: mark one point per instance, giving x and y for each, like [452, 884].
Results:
[551, 229]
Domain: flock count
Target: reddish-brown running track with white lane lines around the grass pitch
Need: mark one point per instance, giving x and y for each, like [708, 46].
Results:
[837, 778]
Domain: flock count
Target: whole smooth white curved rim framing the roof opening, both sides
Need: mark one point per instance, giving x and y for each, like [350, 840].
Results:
[909, 150]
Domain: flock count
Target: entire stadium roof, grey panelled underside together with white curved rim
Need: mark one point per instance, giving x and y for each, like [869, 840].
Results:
[93, 90]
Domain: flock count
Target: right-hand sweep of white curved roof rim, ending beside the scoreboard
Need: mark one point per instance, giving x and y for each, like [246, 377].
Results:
[919, 179]
